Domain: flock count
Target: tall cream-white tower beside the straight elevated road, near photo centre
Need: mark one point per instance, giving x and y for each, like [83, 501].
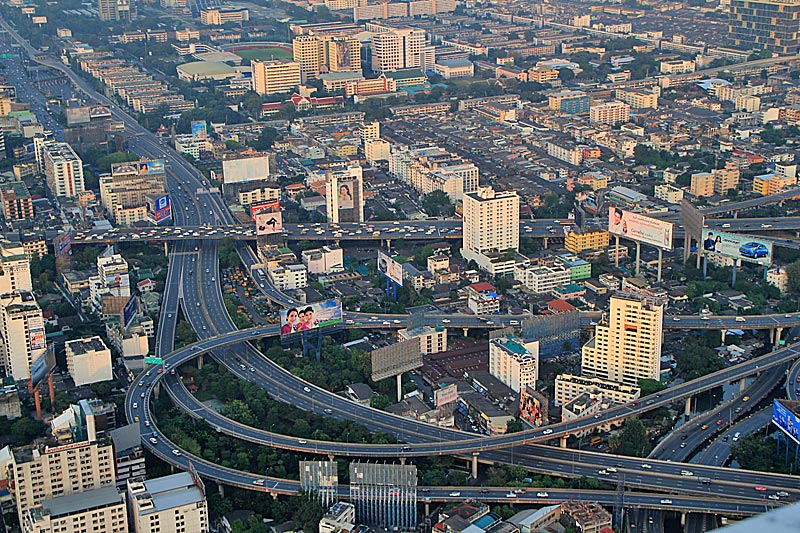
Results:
[491, 228]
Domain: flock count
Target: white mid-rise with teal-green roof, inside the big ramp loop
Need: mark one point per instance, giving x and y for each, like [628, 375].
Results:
[514, 362]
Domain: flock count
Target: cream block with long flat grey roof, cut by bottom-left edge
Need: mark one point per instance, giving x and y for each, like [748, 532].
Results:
[92, 511]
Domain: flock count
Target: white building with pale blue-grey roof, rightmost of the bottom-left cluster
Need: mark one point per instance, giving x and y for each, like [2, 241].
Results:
[175, 503]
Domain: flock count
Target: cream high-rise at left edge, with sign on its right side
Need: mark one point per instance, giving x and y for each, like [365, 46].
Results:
[23, 337]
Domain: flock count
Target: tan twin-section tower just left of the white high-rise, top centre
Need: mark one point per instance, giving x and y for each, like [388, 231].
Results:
[318, 54]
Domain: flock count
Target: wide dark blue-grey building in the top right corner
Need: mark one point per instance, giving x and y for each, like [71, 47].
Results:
[765, 24]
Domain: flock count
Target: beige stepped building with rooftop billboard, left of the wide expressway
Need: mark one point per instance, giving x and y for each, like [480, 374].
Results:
[123, 193]
